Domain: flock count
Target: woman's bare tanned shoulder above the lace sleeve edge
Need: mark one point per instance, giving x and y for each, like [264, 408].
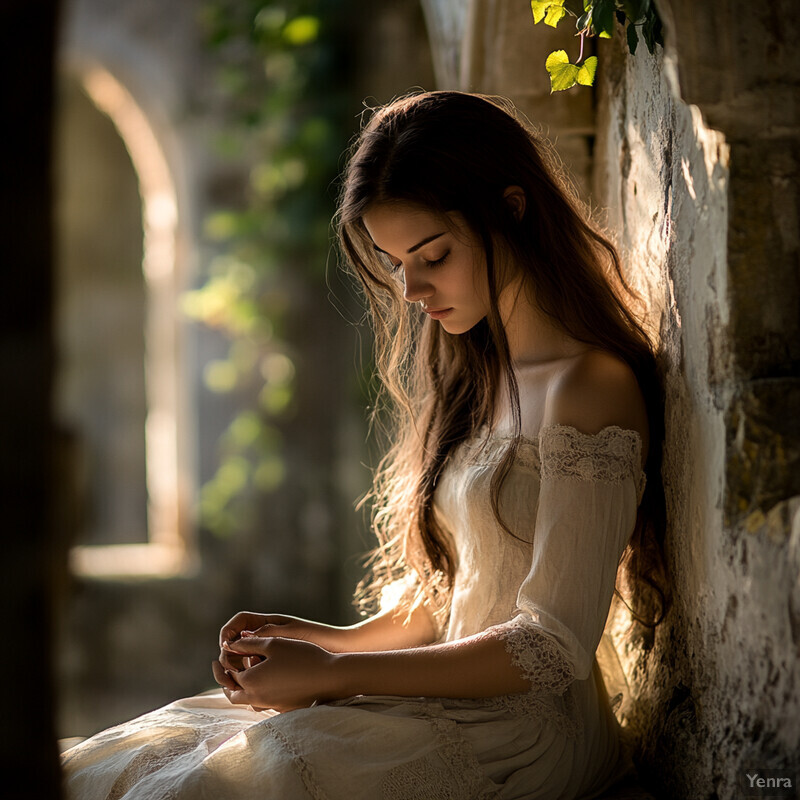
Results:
[594, 391]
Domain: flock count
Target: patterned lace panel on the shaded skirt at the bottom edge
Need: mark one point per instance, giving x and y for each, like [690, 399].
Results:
[422, 779]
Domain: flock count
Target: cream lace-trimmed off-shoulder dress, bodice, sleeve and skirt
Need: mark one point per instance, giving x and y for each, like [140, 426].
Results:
[571, 498]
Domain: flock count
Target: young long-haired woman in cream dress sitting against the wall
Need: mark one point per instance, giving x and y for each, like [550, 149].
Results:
[527, 414]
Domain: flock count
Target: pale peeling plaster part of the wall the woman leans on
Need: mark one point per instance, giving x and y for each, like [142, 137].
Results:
[717, 693]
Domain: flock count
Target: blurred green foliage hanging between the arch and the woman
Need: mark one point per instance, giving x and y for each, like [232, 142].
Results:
[280, 78]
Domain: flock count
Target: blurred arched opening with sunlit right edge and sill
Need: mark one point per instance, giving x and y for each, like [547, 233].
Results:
[117, 393]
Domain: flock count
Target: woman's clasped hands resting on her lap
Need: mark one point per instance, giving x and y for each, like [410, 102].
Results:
[265, 662]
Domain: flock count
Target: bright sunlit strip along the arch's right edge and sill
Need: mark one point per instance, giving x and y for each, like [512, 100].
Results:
[166, 553]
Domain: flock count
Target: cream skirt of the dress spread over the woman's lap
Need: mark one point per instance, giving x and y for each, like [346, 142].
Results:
[363, 748]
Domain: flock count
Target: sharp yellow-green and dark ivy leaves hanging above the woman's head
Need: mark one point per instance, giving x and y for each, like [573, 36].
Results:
[595, 18]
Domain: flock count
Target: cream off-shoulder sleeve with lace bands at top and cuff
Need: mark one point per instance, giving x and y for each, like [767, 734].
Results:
[590, 488]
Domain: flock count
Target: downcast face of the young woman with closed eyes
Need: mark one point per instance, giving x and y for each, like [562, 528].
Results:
[439, 260]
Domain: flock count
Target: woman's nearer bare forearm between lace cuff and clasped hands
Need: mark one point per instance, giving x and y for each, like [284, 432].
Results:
[478, 666]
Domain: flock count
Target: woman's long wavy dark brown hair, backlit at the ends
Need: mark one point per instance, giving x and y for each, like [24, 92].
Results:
[446, 152]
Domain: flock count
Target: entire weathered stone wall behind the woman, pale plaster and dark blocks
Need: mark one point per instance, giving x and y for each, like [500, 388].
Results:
[694, 159]
